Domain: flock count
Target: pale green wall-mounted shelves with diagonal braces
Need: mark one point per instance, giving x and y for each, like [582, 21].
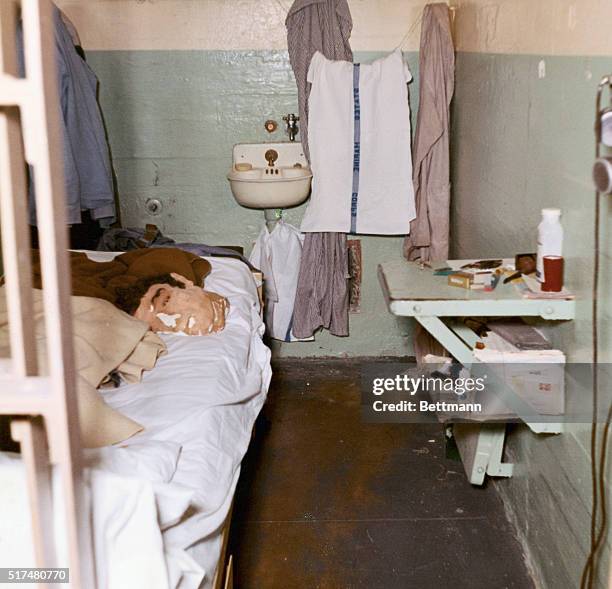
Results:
[413, 291]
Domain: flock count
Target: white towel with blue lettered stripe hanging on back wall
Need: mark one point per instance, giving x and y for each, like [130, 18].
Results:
[359, 135]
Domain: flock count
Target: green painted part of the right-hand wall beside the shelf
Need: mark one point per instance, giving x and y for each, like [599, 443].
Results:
[521, 143]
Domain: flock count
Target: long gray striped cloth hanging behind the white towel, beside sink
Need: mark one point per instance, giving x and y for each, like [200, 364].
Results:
[322, 292]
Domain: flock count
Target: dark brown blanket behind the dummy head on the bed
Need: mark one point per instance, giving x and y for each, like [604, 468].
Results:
[102, 279]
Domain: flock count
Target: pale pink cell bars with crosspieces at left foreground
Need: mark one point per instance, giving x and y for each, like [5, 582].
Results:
[43, 409]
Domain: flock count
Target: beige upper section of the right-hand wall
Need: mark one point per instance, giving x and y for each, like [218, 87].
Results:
[549, 27]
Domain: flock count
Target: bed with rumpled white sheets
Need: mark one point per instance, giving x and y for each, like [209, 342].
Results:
[162, 499]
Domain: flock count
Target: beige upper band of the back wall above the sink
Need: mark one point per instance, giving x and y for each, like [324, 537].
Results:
[228, 24]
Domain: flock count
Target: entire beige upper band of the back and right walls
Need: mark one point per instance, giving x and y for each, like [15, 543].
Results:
[550, 27]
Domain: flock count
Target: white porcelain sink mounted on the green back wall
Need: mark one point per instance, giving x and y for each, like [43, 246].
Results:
[269, 175]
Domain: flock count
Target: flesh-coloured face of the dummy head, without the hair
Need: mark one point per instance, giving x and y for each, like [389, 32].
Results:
[189, 310]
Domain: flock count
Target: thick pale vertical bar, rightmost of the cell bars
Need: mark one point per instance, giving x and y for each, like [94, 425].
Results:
[43, 143]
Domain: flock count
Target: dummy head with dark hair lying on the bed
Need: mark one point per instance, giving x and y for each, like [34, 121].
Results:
[172, 304]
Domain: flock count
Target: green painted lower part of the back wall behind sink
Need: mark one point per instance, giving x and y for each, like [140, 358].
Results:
[173, 117]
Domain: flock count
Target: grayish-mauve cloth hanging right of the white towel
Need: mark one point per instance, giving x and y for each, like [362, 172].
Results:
[429, 232]
